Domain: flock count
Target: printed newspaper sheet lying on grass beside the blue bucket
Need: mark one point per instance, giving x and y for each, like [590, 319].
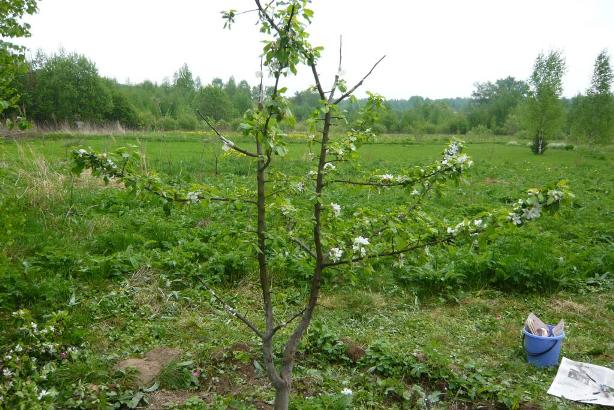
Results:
[584, 382]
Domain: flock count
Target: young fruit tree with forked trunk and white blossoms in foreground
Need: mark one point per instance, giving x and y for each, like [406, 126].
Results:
[300, 222]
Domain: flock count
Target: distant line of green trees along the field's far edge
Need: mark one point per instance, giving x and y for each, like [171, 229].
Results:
[66, 88]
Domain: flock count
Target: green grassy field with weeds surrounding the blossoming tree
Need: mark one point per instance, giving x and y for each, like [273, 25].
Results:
[443, 331]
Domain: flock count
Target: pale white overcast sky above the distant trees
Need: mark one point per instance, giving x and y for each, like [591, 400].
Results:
[434, 48]
